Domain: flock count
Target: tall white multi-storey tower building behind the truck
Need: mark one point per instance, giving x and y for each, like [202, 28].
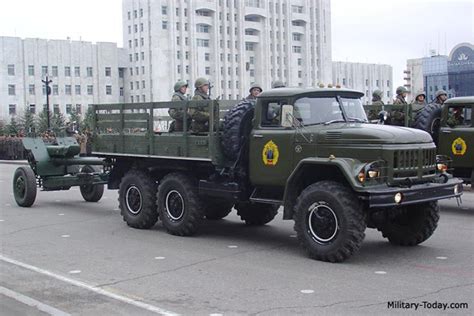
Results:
[234, 43]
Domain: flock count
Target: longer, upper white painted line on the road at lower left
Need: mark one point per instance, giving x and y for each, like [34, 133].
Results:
[92, 288]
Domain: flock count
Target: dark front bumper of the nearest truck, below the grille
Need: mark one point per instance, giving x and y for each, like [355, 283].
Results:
[419, 193]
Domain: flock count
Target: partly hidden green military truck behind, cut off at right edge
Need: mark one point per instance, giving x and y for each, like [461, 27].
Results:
[447, 133]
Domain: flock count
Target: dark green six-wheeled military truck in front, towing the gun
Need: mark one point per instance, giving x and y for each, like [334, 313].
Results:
[308, 150]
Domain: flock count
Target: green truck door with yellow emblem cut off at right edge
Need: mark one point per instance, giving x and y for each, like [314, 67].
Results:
[456, 138]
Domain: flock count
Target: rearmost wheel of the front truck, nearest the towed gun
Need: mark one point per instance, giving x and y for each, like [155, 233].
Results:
[139, 190]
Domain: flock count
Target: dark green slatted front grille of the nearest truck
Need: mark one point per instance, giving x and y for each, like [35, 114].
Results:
[414, 162]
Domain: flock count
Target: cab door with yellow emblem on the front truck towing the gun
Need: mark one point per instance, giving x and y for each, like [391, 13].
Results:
[271, 146]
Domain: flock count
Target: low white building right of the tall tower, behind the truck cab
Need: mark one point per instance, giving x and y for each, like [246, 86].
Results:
[364, 77]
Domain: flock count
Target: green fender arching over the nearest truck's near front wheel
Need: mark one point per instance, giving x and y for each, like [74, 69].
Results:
[312, 170]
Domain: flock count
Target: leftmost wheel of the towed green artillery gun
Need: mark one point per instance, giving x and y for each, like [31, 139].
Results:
[24, 186]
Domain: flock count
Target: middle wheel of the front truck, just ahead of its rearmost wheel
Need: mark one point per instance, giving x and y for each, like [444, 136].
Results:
[180, 208]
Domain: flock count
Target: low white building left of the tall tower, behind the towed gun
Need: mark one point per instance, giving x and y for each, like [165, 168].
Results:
[82, 73]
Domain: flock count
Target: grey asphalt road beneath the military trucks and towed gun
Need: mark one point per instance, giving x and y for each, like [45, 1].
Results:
[67, 256]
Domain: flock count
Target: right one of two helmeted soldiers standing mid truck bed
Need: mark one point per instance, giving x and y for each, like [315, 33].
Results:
[200, 116]
